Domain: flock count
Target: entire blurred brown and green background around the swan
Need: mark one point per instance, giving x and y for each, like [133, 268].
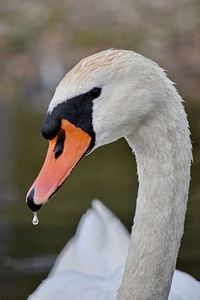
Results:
[40, 41]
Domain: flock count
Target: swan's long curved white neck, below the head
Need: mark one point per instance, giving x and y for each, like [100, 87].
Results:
[163, 155]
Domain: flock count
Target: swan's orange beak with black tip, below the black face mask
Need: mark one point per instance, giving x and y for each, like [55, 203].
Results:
[64, 152]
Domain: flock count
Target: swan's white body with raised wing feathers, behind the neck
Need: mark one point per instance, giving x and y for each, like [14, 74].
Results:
[93, 260]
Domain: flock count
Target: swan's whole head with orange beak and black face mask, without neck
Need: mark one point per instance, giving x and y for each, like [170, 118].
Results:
[104, 97]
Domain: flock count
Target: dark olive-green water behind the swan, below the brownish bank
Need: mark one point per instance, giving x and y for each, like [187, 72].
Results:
[27, 251]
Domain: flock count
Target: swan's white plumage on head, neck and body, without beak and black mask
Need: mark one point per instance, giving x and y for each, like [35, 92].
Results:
[138, 102]
